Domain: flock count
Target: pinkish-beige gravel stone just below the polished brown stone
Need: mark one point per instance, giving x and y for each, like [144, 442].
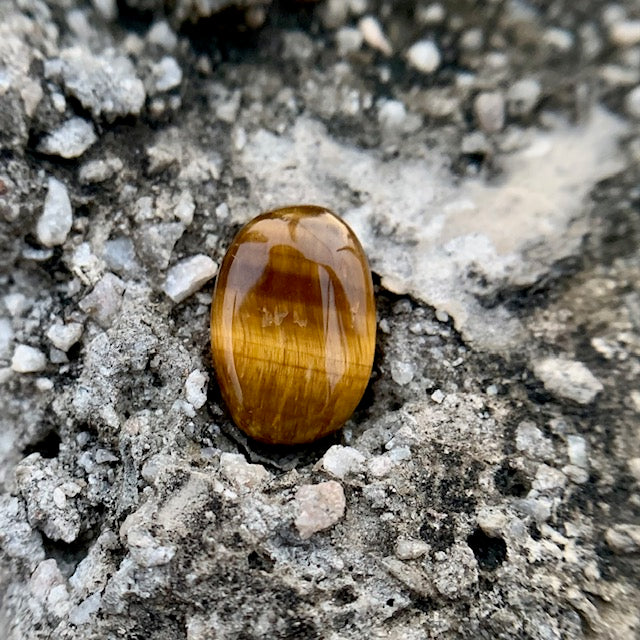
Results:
[318, 507]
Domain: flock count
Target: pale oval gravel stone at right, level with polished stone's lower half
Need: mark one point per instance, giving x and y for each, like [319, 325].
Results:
[568, 379]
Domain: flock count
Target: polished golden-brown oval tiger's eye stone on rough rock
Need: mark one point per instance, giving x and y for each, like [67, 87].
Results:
[293, 325]
